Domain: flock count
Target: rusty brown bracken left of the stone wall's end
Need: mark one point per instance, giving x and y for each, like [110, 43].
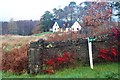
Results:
[15, 60]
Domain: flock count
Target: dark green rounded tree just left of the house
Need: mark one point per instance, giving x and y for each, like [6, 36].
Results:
[46, 21]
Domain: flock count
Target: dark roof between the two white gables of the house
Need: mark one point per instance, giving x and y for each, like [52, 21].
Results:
[63, 24]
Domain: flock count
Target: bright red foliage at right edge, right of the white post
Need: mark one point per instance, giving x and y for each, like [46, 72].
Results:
[112, 53]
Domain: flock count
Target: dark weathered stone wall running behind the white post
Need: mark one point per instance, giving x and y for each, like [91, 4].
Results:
[41, 49]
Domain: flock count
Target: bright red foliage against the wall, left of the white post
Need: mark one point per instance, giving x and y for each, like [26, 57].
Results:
[59, 62]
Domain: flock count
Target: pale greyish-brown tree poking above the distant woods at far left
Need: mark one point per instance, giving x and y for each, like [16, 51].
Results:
[12, 27]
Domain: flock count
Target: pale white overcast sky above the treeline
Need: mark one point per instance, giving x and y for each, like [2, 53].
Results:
[29, 9]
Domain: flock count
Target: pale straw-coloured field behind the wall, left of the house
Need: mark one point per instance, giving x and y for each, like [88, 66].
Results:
[15, 41]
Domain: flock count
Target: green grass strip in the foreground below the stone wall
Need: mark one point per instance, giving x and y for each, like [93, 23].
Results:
[108, 70]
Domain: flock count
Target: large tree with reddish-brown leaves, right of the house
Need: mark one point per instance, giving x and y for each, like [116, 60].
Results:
[96, 14]
